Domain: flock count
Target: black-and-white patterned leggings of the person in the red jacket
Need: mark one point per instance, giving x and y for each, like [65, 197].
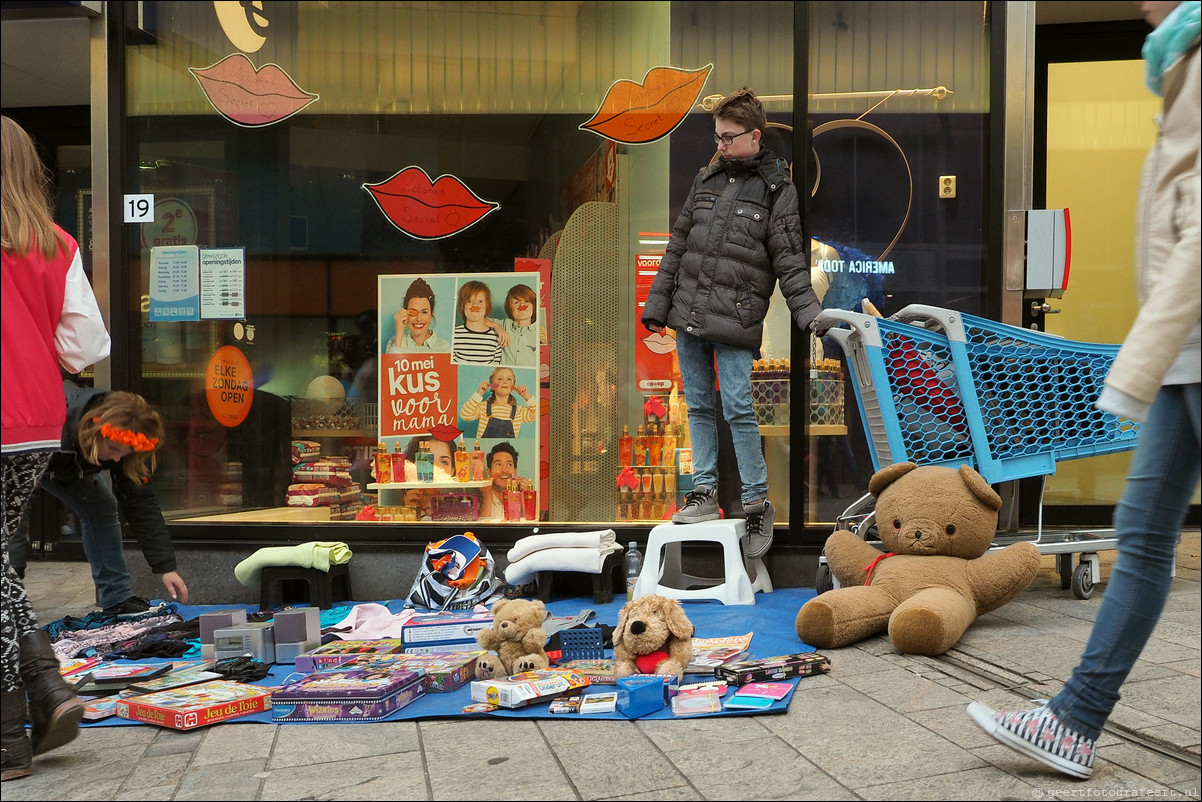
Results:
[21, 474]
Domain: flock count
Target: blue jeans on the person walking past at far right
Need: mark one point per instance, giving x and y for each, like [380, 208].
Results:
[1149, 522]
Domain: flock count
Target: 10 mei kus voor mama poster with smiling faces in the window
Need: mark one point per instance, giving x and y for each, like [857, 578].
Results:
[460, 381]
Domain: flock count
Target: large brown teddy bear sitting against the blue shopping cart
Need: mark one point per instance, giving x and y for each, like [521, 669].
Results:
[938, 573]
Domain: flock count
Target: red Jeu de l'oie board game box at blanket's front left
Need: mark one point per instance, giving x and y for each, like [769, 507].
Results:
[194, 706]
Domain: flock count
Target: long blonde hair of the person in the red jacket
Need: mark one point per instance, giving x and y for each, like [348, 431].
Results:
[26, 209]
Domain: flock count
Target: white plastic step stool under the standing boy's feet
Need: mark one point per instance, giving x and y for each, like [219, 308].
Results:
[736, 589]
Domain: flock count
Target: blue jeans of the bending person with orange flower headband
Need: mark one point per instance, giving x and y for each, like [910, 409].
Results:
[91, 498]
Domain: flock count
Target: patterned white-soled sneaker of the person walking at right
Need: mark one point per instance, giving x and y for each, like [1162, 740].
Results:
[1039, 734]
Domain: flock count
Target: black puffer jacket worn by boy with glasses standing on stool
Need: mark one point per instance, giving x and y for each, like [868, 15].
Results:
[729, 248]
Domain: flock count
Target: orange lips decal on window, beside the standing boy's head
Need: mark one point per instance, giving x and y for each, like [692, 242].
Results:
[638, 114]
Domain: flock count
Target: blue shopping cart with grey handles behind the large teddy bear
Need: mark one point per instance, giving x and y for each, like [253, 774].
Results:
[942, 388]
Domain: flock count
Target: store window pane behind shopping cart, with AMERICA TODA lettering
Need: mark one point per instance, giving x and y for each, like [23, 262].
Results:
[900, 116]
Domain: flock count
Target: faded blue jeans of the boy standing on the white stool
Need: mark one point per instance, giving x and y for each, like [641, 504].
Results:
[698, 358]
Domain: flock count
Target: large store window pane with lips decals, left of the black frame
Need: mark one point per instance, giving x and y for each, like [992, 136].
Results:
[311, 162]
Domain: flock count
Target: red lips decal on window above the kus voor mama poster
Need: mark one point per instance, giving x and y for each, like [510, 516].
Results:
[427, 210]
